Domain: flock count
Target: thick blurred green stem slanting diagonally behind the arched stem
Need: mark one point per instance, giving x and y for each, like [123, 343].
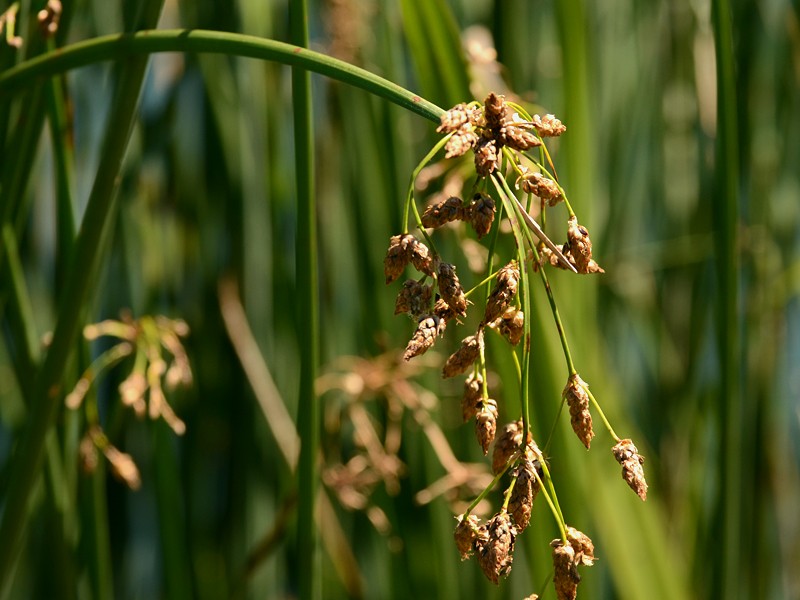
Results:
[81, 280]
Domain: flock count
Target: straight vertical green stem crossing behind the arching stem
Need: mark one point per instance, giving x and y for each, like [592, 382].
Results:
[308, 311]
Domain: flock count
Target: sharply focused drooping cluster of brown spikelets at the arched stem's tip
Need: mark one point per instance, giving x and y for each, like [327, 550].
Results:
[500, 140]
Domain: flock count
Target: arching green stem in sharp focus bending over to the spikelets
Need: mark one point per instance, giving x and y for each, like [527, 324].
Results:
[119, 46]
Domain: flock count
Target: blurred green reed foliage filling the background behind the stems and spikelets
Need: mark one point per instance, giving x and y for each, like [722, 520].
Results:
[207, 197]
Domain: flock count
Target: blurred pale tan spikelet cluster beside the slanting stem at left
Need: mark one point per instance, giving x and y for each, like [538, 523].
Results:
[160, 364]
